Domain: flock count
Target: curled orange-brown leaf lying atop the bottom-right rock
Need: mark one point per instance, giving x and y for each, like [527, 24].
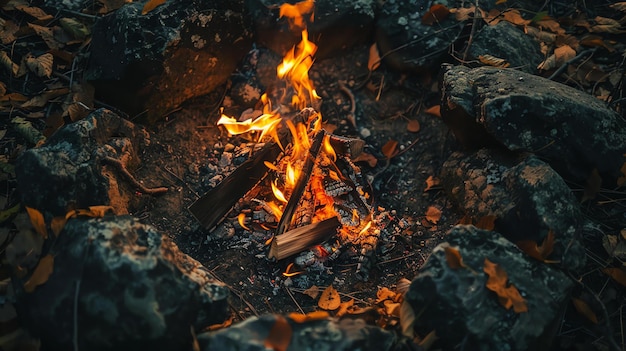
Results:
[508, 295]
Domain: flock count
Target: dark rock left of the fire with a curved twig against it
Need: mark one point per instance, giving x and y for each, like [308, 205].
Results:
[66, 173]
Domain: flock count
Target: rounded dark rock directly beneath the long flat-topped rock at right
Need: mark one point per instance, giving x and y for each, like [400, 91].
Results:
[526, 196]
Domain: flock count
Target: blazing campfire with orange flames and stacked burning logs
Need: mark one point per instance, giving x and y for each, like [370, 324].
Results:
[300, 185]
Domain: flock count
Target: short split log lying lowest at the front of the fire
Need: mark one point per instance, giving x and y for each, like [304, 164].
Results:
[296, 240]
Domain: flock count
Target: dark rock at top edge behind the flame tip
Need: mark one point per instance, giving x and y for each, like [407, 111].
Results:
[337, 26]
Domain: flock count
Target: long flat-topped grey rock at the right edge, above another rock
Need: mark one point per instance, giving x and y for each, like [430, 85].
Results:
[568, 128]
